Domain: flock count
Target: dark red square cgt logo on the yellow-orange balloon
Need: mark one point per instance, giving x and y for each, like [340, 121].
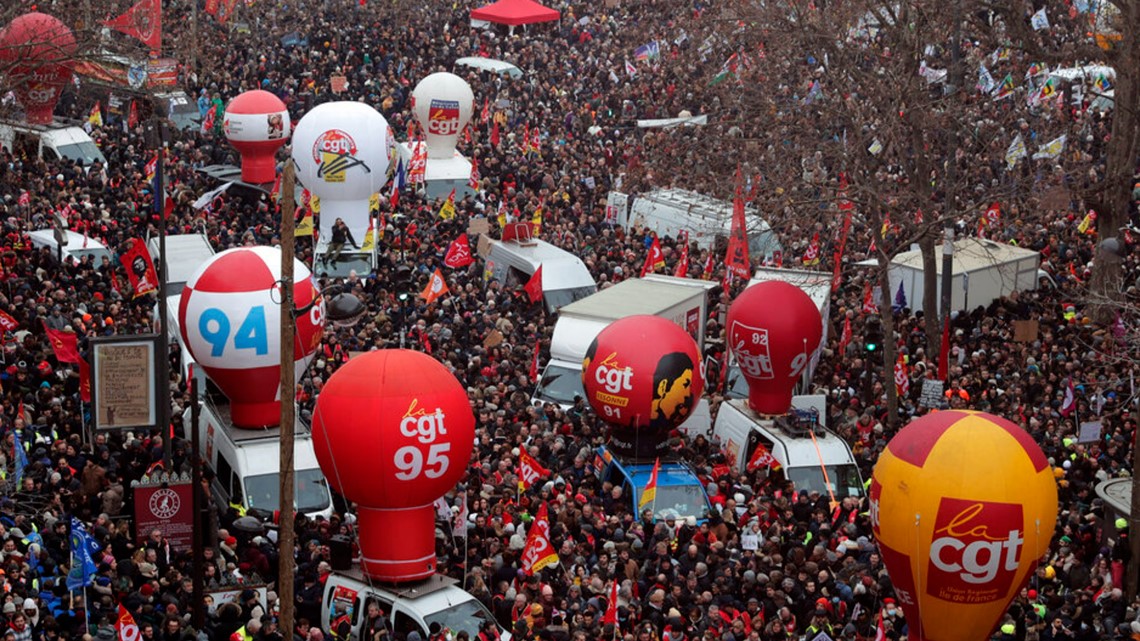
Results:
[975, 551]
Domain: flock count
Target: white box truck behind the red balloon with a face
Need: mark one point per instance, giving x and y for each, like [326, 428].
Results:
[682, 301]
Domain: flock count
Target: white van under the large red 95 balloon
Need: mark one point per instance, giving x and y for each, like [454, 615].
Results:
[413, 607]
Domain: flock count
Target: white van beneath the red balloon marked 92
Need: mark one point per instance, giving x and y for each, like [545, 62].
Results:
[823, 464]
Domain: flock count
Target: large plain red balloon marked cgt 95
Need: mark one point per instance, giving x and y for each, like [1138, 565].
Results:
[394, 432]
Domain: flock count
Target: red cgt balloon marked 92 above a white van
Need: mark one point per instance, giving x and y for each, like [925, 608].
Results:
[773, 330]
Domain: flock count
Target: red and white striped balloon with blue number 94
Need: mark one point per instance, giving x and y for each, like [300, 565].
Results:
[230, 320]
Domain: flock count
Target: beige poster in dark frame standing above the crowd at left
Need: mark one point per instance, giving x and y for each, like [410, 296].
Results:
[125, 383]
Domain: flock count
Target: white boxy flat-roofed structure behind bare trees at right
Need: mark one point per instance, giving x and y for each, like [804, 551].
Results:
[984, 271]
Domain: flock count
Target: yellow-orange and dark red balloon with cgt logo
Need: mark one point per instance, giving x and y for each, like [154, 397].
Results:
[964, 507]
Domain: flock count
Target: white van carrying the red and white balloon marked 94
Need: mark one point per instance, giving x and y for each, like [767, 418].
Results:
[247, 465]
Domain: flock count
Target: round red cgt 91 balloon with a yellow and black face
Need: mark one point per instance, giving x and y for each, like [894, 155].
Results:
[642, 376]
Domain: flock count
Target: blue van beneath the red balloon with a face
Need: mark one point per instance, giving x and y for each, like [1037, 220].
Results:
[680, 492]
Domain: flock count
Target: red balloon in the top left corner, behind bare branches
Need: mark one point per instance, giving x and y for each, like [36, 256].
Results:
[39, 53]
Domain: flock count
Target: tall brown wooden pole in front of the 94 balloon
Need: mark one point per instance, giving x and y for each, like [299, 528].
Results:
[286, 533]
